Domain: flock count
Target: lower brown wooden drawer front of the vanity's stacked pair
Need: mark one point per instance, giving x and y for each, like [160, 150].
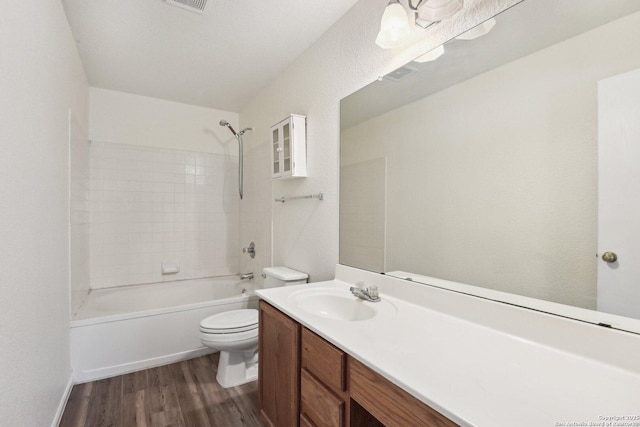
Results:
[318, 404]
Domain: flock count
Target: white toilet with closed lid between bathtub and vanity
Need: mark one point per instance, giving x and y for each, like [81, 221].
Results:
[235, 333]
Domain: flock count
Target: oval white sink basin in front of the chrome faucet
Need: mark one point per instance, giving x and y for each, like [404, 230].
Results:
[336, 304]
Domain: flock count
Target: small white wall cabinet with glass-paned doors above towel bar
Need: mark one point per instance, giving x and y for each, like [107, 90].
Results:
[289, 147]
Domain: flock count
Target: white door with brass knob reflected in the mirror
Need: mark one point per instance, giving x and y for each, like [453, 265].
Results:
[618, 190]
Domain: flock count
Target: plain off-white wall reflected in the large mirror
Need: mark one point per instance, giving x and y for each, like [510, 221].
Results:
[512, 208]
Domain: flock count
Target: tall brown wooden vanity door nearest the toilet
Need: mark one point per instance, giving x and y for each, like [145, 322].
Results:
[279, 368]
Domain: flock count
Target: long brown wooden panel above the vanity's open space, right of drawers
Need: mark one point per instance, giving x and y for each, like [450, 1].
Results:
[387, 402]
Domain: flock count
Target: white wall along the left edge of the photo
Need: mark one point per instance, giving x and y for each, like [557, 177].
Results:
[41, 77]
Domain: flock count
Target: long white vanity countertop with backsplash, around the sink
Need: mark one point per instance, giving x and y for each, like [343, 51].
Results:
[477, 374]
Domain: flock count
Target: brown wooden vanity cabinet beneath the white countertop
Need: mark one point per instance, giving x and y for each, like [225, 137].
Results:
[324, 386]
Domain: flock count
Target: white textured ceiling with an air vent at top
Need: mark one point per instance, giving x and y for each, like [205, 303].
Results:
[220, 59]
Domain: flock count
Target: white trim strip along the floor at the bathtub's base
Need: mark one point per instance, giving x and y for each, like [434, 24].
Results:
[112, 371]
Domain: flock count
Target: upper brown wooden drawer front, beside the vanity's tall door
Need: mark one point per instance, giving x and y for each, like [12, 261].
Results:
[323, 360]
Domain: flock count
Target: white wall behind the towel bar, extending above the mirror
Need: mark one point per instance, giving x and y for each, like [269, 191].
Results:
[305, 232]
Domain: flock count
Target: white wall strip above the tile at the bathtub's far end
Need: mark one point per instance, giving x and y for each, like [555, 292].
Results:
[124, 118]
